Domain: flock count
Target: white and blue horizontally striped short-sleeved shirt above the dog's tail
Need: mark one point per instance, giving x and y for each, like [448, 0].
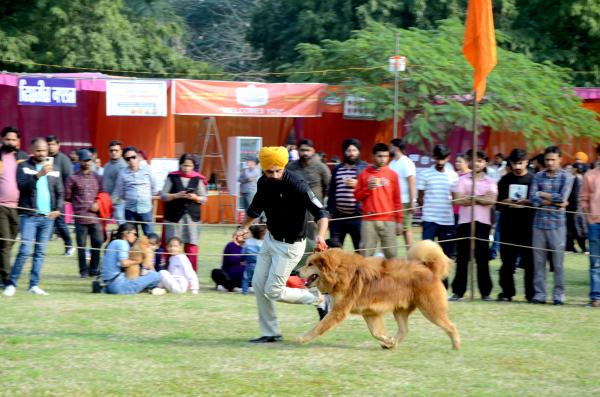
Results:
[438, 188]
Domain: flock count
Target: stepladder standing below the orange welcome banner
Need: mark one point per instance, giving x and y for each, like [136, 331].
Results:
[208, 147]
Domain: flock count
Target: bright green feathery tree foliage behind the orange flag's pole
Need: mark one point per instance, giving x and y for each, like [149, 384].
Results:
[521, 96]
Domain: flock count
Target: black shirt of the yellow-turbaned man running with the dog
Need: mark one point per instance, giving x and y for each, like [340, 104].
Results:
[286, 202]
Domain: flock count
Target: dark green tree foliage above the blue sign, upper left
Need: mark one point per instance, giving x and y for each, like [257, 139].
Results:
[94, 34]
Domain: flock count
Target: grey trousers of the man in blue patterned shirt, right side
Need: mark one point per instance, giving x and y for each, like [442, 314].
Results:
[553, 239]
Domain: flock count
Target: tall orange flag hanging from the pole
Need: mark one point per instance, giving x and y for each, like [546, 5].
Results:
[480, 42]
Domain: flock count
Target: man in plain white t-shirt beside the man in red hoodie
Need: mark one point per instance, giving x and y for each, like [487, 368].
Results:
[406, 170]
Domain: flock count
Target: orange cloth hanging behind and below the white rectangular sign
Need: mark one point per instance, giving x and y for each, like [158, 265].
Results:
[154, 135]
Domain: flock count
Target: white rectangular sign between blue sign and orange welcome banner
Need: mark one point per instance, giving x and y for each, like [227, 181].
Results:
[136, 98]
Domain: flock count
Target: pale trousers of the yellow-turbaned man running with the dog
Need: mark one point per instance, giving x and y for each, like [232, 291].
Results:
[274, 264]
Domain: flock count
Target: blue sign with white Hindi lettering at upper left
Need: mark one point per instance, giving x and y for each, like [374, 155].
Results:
[34, 91]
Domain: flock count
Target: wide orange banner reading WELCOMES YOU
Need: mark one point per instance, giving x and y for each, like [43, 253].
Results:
[230, 98]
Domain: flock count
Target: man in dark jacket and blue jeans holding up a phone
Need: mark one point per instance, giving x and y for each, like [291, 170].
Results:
[41, 200]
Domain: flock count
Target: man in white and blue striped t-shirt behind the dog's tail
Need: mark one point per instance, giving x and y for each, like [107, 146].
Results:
[436, 186]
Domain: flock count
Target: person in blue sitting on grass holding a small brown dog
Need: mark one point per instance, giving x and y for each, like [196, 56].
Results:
[116, 257]
